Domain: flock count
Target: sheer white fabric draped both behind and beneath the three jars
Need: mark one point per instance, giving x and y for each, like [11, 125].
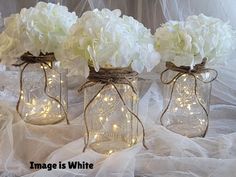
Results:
[169, 154]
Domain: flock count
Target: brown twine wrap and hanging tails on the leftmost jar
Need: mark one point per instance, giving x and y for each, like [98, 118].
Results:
[42, 59]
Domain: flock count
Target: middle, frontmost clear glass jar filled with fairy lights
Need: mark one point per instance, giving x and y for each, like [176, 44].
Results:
[111, 126]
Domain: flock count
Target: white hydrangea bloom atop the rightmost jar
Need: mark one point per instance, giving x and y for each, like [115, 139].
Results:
[186, 43]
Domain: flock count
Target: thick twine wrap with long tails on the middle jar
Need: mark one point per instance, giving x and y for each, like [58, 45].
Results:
[108, 77]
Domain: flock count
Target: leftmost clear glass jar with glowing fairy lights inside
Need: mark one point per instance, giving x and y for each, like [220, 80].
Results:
[43, 97]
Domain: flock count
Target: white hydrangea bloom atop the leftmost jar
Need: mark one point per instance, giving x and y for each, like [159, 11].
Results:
[42, 28]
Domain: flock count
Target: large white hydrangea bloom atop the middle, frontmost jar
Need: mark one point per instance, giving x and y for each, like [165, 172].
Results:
[104, 39]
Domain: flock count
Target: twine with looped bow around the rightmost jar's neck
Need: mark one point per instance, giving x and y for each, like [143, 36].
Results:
[182, 70]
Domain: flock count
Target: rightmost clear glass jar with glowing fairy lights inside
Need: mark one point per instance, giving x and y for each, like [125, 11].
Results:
[186, 103]
